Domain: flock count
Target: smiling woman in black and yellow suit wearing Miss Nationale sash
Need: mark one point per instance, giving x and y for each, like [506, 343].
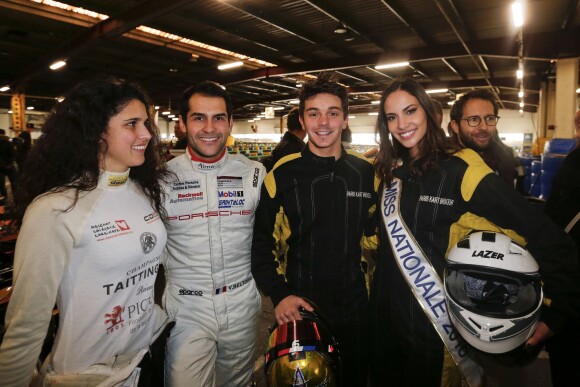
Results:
[433, 196]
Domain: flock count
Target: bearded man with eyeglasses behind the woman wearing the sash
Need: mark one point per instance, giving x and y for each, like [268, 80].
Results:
[474, 125]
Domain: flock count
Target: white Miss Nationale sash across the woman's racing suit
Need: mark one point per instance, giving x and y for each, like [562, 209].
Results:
[424, 282]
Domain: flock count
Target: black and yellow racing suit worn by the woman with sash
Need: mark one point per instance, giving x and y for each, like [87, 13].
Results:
[441, 207]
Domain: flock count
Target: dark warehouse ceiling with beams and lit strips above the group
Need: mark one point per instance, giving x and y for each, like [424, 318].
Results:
[168, 45]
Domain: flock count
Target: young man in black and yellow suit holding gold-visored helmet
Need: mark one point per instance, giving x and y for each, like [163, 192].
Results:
[327, 196]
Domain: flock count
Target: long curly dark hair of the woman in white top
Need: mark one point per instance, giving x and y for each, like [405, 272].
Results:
[66, 155]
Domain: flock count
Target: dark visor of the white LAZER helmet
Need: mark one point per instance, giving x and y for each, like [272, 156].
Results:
[493, 292]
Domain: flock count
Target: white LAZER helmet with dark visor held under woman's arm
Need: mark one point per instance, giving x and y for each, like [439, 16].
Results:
[493, 291]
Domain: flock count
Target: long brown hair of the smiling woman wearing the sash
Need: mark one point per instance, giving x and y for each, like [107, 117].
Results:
[432, 147]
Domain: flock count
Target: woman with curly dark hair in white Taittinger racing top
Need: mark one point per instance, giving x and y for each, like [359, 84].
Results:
[88, 207]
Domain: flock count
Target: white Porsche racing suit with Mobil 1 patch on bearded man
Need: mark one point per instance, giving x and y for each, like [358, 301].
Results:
[210, 291]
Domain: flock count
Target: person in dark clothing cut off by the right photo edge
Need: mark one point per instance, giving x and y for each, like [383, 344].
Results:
[563, 207]
